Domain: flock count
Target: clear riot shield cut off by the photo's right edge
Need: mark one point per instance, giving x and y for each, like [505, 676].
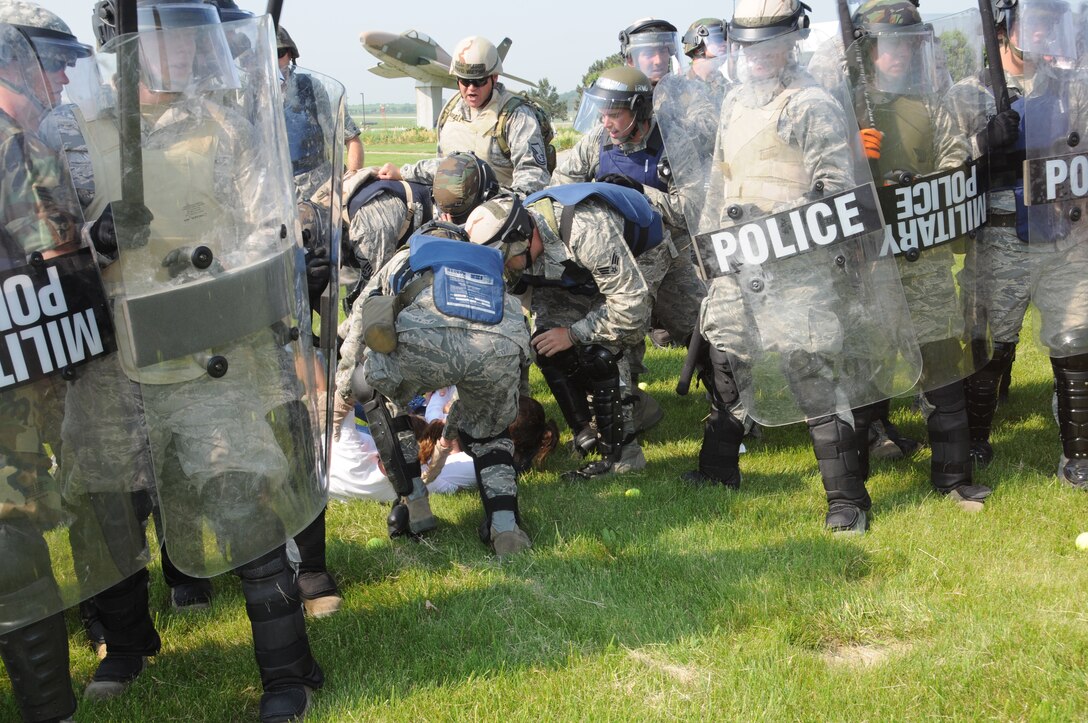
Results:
[1052, 204]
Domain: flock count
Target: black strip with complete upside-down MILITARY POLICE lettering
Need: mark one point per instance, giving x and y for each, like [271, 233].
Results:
[933, 210]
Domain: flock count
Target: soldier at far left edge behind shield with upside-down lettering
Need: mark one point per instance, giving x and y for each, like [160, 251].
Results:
[55, 288]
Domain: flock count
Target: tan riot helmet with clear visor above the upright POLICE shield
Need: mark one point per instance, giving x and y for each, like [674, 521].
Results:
[763, 38]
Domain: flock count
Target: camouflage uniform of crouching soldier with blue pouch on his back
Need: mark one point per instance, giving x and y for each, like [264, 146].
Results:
[436, 351]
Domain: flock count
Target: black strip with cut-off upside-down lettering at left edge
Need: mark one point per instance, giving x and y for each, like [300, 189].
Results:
[53, 317]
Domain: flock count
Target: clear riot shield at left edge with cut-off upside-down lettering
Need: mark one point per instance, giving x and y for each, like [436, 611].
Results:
[67, 533]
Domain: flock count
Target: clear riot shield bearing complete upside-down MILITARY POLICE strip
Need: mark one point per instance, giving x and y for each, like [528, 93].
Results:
[932, 192]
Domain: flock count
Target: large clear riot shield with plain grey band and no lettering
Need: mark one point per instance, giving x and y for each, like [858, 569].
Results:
[211, 300]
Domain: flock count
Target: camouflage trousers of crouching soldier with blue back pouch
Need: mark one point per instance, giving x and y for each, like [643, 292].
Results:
[487, 369]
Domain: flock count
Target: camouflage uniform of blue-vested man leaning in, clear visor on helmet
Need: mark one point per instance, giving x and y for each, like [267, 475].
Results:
[676, 290]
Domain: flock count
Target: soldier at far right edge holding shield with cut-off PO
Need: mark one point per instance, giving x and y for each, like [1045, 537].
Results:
[1034, 107]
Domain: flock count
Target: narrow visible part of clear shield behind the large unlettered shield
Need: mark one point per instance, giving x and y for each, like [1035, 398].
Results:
[319, 192]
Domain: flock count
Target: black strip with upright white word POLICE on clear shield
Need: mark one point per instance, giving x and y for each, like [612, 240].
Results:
[844, 217]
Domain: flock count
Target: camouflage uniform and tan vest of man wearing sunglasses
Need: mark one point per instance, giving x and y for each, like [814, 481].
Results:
[524, 171]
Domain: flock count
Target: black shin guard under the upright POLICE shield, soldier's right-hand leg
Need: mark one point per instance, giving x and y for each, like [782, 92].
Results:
[836, 450]
